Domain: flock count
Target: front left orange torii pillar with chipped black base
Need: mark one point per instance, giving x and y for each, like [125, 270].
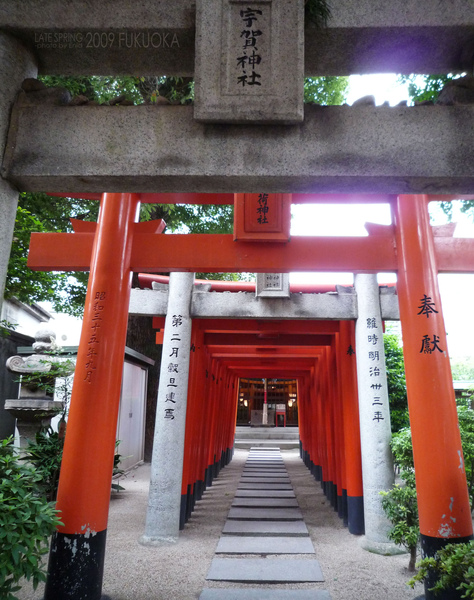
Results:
[77, 554]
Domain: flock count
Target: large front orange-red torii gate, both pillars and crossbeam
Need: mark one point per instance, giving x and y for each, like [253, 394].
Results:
[119, 246]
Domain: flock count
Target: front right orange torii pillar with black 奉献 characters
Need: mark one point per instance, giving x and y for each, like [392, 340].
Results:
[443, 502]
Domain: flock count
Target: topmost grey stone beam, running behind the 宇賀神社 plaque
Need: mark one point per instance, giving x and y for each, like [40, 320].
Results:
[408, 37]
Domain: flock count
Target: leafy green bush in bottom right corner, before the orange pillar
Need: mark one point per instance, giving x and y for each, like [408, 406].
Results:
[452, 568]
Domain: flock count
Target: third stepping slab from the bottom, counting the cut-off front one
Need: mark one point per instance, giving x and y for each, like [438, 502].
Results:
[235, 544]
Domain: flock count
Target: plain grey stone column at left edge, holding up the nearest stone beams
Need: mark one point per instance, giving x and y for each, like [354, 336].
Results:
[16, 64]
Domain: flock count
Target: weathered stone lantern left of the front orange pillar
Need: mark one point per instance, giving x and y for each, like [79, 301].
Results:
[36, 406]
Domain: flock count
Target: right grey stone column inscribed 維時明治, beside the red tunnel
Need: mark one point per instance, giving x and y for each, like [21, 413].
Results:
[374, 414]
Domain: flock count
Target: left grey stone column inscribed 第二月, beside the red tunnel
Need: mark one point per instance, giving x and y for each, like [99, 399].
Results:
[164, 500]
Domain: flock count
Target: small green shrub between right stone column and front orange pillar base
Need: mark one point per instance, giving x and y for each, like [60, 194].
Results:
[400, 506]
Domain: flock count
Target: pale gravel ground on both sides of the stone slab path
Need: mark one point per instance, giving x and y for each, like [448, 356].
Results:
[178, 571]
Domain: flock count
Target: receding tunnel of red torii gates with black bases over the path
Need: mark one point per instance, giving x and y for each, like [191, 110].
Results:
[314, 353]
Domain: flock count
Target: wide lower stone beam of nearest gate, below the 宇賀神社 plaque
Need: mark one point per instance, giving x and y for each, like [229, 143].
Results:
[336, 149]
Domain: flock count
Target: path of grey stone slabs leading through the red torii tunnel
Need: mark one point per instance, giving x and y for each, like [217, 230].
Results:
[265, 521]
